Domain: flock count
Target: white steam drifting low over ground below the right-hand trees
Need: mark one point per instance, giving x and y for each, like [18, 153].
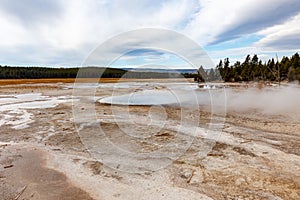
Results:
[282, 100]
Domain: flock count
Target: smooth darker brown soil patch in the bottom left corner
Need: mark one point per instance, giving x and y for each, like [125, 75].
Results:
[28, 178]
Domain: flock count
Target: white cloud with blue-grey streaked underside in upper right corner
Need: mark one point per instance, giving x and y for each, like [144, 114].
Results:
[220, 21]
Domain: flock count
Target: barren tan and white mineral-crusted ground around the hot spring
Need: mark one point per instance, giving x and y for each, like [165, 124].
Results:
[257, 156]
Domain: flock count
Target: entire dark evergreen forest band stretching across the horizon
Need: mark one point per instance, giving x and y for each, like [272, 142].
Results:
[251, 69]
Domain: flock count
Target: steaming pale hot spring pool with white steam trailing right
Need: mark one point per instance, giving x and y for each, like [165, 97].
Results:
[282, 100]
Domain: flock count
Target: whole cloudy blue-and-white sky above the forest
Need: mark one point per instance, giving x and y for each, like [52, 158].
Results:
[65, 33]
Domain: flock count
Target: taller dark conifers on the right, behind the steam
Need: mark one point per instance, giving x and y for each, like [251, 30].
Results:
[253, 69]
